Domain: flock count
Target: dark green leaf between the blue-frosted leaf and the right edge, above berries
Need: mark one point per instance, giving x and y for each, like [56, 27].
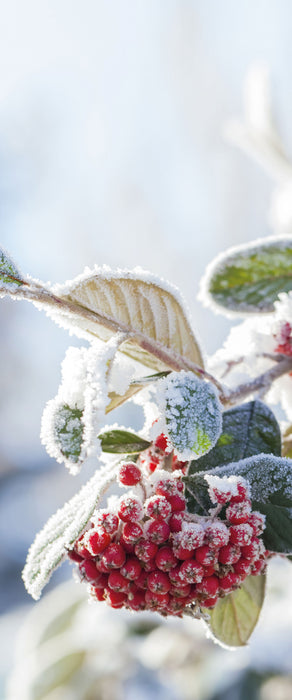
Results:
[247, 430]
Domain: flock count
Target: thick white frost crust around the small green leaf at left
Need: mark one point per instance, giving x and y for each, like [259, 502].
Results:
[83, 386]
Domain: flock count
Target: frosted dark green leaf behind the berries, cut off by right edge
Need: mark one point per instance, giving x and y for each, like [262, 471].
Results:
[269, 477]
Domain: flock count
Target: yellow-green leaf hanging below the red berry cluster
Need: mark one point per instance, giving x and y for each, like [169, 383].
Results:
[234, 617]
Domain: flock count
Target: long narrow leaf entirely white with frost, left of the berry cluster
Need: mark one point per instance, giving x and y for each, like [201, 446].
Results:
[51, 544]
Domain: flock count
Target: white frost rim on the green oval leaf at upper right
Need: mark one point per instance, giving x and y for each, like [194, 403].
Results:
[219, 263]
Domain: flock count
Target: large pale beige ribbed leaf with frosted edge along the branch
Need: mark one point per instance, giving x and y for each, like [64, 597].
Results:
[137, 302]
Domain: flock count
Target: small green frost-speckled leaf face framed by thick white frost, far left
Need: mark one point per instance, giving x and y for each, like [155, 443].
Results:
[69, 430]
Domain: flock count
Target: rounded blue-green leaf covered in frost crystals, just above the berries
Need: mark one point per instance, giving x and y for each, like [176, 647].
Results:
[192, 412]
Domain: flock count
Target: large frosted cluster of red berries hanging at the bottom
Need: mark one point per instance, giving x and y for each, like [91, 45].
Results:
[150, 553]
